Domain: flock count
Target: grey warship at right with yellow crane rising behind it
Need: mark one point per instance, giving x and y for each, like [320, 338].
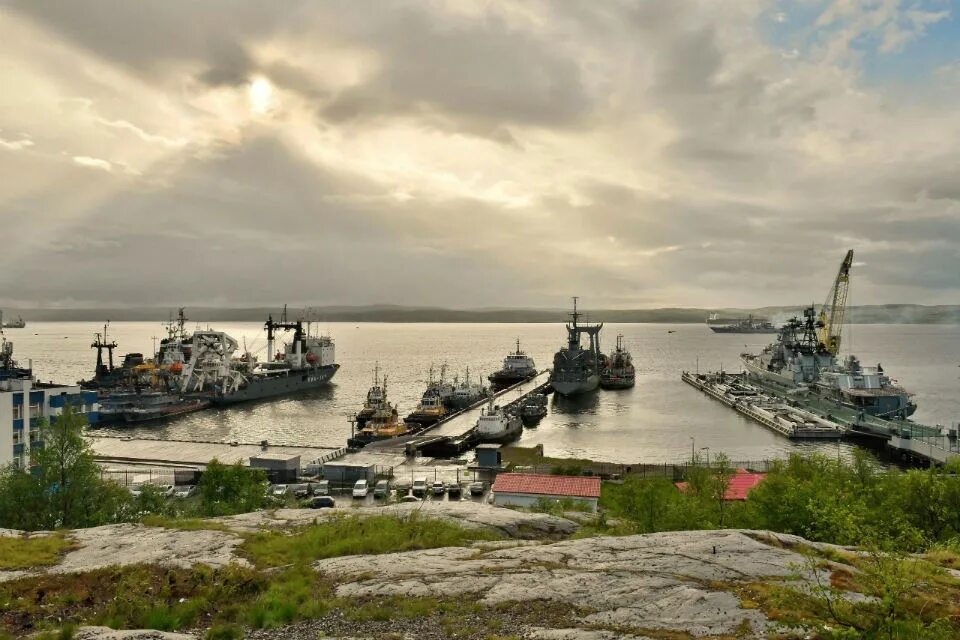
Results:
[804, 359]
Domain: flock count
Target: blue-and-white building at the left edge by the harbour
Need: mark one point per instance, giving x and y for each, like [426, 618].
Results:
[24, 401]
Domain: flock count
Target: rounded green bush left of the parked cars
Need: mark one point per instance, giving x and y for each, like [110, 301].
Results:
[229, 489]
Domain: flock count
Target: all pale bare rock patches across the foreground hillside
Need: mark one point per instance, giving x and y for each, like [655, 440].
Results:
[590, 588]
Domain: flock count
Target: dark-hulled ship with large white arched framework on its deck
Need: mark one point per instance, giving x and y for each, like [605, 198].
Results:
[306, 362]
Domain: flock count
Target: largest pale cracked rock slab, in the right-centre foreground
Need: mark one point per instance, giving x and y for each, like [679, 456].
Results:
[657, 581]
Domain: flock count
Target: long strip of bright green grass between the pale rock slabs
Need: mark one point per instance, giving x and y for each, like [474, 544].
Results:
[351, 535]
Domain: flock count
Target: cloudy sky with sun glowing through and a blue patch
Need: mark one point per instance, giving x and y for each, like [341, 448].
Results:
[464, 154]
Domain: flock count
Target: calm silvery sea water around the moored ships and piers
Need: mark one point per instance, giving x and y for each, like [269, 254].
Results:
[657, 421]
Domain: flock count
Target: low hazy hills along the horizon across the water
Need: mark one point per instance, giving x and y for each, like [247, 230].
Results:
[868, 314]
